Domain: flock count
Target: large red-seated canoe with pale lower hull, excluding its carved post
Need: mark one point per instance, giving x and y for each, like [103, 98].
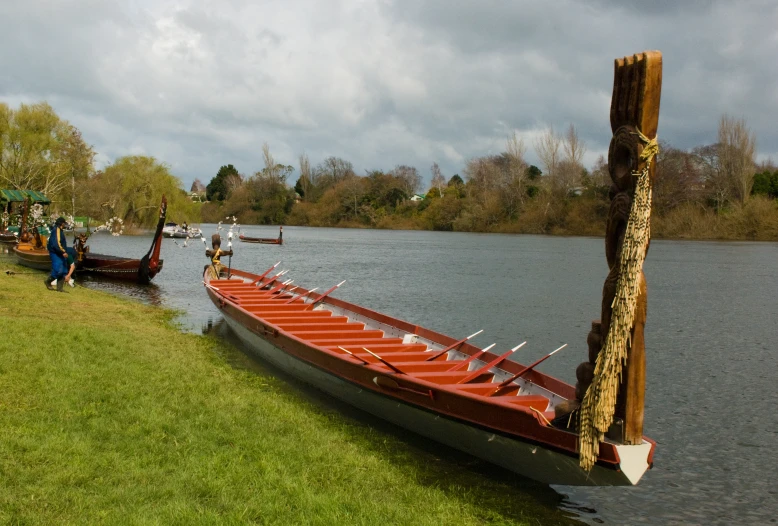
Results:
[430, 383]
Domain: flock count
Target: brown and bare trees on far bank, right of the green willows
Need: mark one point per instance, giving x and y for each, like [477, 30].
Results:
[715, 191]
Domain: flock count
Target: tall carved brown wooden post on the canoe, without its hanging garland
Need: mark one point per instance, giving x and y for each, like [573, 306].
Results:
[634, 119]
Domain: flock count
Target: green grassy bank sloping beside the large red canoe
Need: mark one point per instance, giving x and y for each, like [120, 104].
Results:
[109, 414]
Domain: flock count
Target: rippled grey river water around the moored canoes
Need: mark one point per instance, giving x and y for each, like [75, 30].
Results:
[710, 338]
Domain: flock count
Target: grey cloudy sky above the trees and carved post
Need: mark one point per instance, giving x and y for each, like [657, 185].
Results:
[198, 84]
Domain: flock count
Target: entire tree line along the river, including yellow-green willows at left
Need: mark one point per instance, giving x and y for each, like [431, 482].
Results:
[710, 191]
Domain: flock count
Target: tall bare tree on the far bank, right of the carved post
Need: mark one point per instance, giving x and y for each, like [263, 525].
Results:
[737, 149]
